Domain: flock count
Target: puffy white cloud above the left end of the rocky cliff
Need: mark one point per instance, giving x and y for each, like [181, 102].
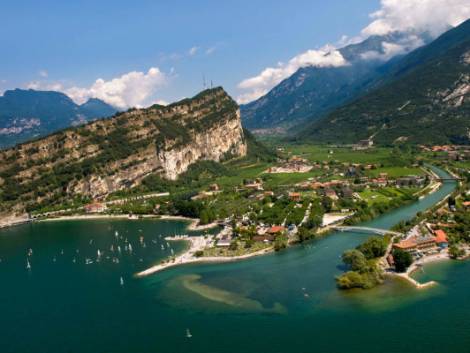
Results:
[134, 89]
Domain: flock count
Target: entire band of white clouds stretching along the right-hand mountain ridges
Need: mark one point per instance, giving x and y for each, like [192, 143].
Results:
[411, 17]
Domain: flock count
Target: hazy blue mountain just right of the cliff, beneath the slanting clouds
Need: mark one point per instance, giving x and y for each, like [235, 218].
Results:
[311, 92]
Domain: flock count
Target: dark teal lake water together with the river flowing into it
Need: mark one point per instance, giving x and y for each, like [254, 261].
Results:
[283, 302]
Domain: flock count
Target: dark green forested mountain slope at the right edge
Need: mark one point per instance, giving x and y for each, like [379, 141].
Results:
[424, 98]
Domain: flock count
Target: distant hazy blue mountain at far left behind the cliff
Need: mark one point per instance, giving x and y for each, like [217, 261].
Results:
[26, 114]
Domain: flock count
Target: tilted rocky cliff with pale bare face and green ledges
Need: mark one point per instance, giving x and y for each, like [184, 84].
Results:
[115, 153]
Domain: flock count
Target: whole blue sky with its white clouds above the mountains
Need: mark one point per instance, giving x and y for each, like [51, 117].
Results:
[136, 53]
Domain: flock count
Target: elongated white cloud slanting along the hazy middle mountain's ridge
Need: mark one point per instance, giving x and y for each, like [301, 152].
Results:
[258, 85]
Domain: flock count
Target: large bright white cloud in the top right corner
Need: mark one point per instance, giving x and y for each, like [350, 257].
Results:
[432, 16]
